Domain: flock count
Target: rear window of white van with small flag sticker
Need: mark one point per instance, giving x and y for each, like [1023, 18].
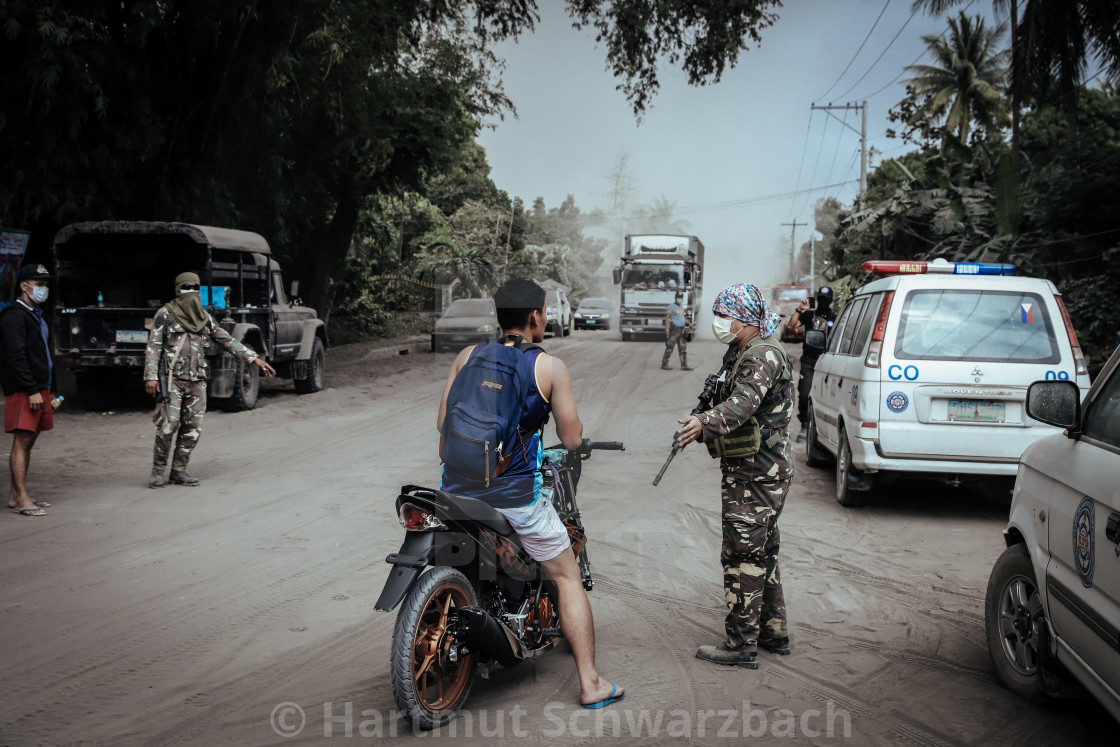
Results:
[976, 325]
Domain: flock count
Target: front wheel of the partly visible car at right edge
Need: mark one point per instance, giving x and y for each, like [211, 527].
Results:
[1016, 625]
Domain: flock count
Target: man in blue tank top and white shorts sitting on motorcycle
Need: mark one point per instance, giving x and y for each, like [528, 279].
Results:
[516, 494]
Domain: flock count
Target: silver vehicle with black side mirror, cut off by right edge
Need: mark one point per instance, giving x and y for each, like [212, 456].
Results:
[1053, 602]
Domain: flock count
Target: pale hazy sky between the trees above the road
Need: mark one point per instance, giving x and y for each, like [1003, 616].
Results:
[717, 152]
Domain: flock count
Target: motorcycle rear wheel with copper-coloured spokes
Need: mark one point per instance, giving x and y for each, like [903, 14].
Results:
[431, 689]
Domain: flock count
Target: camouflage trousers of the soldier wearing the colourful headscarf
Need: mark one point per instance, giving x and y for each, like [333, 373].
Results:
[752, 581]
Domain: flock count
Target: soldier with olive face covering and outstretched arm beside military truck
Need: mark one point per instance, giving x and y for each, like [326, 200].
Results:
[181, 332]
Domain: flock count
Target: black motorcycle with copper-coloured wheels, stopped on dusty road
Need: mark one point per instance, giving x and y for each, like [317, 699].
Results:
[483, 604]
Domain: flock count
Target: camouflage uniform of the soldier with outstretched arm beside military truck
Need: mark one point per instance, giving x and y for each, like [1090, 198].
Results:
[188, 387]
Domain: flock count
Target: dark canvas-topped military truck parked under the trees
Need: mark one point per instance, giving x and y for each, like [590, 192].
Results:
[113, 277]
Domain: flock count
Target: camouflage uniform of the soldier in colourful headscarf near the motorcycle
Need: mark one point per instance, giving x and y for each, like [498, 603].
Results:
[753, 492]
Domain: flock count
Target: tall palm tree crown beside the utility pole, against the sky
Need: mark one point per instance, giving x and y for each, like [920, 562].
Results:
[965, 86]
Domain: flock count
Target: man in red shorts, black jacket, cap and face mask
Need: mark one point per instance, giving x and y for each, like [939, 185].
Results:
[26, 377]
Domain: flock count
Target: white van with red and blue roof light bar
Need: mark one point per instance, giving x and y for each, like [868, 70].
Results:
[927, 372]
